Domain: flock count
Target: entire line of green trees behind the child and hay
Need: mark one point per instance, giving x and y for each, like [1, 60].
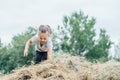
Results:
[76, 36]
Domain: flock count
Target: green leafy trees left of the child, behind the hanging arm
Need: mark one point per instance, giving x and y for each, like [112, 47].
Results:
[12, 57]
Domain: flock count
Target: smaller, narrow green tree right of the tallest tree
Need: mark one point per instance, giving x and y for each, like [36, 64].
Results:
[101, 48]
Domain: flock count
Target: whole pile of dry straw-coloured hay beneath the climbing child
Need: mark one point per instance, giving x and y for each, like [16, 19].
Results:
[67, 67]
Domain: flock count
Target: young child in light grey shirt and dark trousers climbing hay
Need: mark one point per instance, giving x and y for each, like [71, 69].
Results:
[43, 44]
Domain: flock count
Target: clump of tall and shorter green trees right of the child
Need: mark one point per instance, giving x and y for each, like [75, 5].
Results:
[79, 37]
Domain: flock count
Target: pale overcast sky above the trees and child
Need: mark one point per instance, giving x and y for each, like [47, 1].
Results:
[17, 15]
